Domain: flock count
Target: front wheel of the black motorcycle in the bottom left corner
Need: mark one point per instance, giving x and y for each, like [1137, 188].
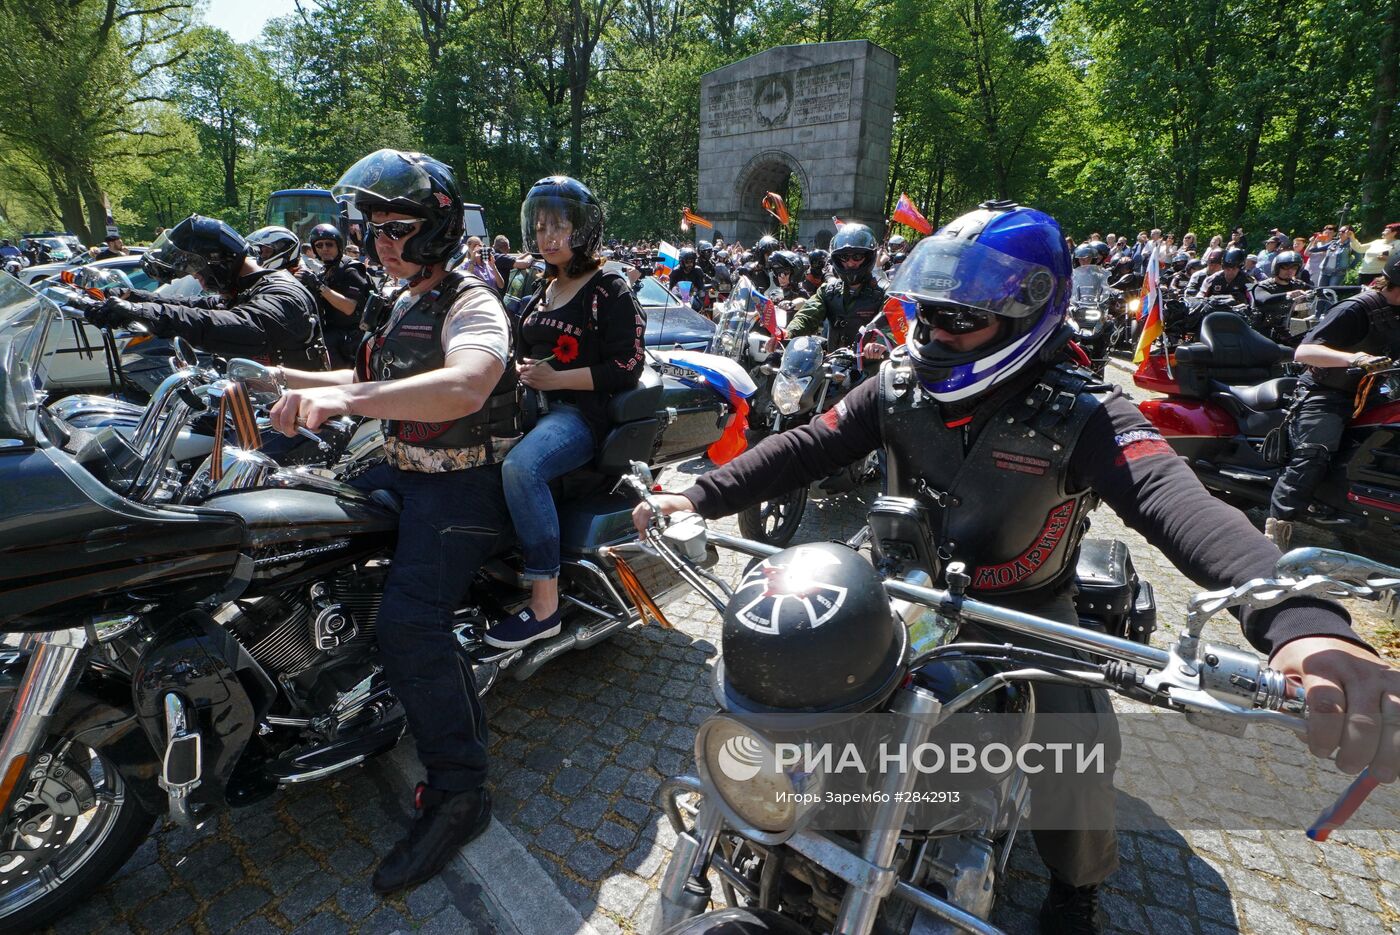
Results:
[62, 849]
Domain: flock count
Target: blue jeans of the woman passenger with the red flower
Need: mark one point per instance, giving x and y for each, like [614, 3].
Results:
[559, 443]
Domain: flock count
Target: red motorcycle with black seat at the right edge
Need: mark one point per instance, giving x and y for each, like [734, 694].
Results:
[1226, 401]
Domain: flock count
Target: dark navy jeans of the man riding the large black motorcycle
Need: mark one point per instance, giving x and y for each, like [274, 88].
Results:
[449, 526]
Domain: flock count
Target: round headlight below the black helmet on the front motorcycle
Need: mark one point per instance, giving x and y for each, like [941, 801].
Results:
[743, 768]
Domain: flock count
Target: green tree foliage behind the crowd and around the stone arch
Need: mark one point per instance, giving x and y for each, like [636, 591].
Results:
[1111, 114]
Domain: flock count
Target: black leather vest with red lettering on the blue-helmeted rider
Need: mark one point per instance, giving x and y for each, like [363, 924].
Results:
[1003, 507]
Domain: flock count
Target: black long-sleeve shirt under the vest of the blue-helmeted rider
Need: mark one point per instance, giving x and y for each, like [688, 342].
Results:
[1119, 456]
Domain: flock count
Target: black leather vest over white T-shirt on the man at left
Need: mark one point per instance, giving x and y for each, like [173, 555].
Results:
[412, 346]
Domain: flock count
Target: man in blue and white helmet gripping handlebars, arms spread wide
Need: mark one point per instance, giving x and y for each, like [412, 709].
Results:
[951, 414]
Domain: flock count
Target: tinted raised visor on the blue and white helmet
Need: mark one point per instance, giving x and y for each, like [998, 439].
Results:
[957, 272]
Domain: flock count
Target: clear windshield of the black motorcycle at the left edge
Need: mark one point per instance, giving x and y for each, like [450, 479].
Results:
[24, 327]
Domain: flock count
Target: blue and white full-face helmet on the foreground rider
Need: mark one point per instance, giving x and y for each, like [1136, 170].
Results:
[1000, 261]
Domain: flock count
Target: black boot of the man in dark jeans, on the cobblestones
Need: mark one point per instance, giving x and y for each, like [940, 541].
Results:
[443, 825]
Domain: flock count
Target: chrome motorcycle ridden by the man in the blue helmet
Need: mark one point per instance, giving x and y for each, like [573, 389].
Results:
[751, 827]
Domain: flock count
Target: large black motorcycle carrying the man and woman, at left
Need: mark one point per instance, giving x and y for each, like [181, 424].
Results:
[178, 646]
